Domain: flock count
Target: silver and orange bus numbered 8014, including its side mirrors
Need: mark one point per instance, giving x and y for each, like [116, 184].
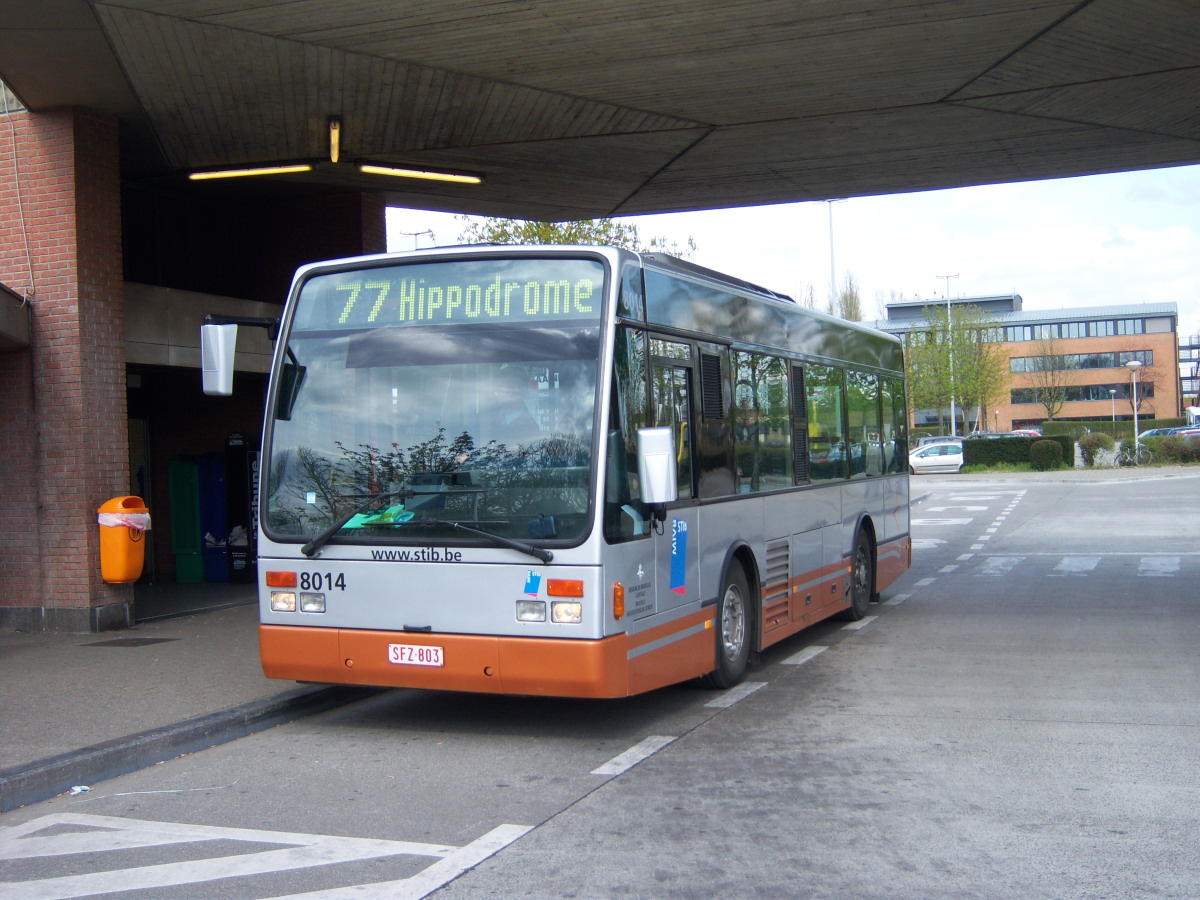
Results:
[563, 471]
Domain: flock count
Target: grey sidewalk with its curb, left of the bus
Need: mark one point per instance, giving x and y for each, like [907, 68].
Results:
[81, 709]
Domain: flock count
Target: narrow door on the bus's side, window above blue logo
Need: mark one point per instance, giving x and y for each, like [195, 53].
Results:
[677, 549]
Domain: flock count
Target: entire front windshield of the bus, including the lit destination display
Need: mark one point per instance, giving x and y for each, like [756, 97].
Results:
[464, 389]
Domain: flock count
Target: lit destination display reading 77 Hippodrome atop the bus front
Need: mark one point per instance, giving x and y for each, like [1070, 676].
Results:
[454, 292]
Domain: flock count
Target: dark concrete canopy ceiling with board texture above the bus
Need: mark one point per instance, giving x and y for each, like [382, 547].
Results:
[584, 109]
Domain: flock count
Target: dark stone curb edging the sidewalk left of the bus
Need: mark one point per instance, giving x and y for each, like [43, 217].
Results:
[43, 779]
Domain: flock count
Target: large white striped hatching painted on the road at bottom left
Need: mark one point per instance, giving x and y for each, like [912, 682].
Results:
[100, 835]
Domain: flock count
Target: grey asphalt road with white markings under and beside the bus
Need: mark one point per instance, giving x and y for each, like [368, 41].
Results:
[1017, 719]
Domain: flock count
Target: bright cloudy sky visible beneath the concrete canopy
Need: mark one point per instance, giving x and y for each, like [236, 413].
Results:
[1097, 241]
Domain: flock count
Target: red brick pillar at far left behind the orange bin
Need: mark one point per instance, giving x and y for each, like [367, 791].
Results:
[64, 423]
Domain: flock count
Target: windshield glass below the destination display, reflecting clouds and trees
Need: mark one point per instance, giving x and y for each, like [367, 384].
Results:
[488, 427]
